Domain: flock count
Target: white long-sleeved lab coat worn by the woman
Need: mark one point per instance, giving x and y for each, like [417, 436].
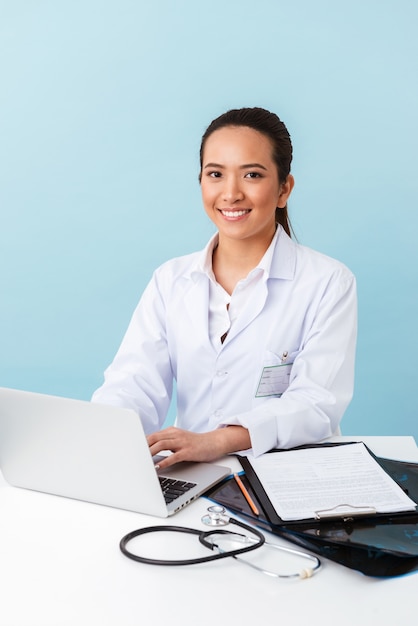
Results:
[306, 308]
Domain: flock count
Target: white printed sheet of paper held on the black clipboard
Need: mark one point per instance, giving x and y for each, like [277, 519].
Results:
[326, 481]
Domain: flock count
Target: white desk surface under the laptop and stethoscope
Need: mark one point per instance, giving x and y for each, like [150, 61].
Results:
[60, 564]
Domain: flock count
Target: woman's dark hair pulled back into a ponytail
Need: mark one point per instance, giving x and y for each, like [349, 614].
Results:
[273, 128]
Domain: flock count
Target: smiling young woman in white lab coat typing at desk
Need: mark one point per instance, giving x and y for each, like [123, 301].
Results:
[258, 331]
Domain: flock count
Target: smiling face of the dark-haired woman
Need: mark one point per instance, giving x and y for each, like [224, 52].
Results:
[240, 184]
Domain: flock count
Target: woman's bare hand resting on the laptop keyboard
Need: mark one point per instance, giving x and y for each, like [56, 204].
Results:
[189, 446]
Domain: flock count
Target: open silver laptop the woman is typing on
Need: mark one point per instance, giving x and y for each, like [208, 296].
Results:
[91, 452]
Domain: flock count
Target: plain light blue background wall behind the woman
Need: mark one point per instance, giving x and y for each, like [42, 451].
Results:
[102, 107]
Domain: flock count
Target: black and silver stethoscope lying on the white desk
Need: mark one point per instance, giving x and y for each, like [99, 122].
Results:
[217, 517]
